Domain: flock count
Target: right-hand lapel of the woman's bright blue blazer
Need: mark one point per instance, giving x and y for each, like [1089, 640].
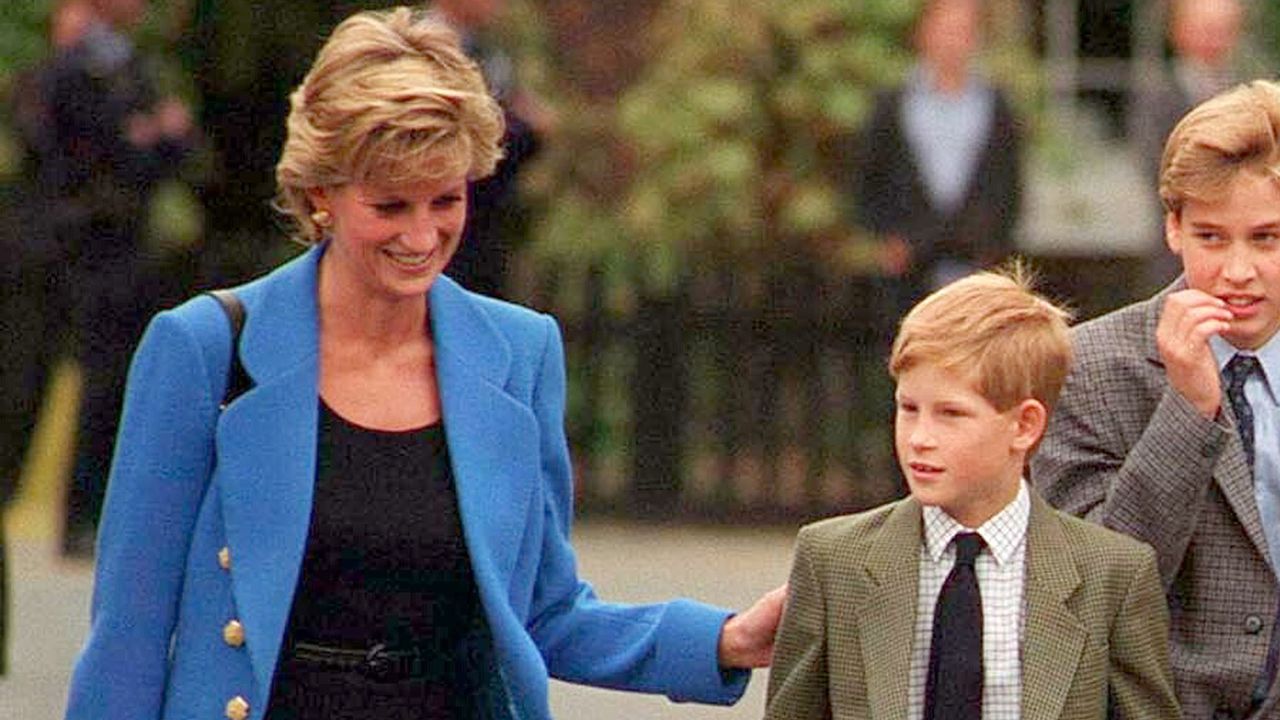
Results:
[493, 439]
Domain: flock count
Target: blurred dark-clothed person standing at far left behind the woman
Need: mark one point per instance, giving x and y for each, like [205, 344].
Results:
[109, 139]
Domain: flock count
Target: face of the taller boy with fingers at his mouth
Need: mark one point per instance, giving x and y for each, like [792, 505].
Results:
[1231, 249]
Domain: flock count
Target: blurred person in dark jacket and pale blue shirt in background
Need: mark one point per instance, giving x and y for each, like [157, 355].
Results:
[938, 175]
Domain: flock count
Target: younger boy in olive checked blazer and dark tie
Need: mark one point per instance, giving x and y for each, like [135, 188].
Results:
[1071, 623]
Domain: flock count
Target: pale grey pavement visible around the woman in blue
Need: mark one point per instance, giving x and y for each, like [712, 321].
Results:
[632, 563]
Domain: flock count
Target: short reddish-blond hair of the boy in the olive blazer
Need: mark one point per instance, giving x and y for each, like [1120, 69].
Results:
[996, 329]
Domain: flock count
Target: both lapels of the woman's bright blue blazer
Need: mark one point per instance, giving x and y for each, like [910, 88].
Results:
[267, 445]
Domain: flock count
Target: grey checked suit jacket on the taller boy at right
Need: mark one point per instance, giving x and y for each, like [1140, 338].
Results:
[1127, 452]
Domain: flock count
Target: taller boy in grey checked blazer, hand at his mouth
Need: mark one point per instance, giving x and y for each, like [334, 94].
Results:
[1151, 436]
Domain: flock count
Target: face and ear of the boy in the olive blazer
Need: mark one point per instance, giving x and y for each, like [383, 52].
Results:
[956, 449]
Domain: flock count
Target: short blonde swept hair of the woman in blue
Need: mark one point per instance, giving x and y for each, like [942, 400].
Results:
[391, 99]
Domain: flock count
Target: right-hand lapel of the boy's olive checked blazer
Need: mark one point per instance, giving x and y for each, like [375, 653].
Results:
[1054, 637]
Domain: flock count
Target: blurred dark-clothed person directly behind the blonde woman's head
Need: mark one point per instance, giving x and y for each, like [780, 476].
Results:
[481, 263]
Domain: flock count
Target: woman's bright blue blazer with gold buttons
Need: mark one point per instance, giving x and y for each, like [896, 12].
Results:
[190, 481]
